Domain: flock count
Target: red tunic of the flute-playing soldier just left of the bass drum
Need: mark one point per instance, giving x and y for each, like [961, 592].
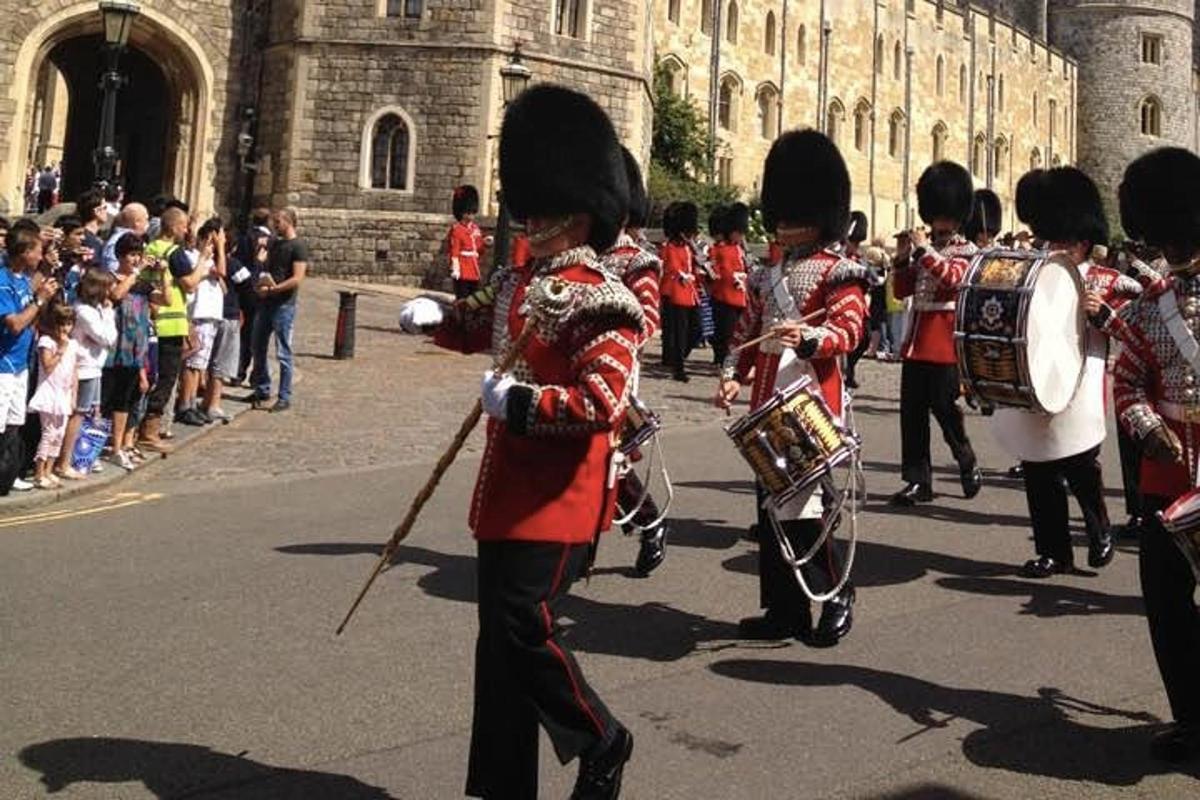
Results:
[933, 284]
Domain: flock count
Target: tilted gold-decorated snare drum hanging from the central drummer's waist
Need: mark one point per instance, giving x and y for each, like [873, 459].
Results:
[793, 442]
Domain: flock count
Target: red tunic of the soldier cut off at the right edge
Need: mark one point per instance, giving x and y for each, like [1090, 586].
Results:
[1154, 384]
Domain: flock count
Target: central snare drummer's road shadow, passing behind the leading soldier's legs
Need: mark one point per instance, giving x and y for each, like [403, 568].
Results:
[647, 631]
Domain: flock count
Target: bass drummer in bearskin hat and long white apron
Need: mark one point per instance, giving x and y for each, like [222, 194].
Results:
[1069, 214]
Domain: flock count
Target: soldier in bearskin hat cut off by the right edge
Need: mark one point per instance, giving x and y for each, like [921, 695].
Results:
[1155, 390]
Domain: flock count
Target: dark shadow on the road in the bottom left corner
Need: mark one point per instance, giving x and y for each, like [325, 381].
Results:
[177, 771]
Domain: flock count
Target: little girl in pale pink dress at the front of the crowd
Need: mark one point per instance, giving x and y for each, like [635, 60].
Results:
[55, 399]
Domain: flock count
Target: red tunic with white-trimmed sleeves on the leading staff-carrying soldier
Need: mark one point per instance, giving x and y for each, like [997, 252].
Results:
[545, 472]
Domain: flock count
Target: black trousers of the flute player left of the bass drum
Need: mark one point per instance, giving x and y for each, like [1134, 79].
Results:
[931, 389]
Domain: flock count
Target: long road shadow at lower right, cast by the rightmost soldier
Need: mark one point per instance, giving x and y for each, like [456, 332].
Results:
[1030, 736]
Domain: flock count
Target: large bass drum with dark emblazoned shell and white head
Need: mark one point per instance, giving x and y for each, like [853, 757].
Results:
[1021, 330]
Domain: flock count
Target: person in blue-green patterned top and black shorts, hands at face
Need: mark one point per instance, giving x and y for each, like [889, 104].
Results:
[125, 377]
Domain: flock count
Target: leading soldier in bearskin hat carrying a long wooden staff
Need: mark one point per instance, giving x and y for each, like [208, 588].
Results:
[545, 490]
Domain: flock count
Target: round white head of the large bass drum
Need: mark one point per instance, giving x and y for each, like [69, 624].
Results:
[1055, 334]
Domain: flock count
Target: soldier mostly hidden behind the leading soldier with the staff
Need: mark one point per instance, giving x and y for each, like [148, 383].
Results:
[632, 262]
